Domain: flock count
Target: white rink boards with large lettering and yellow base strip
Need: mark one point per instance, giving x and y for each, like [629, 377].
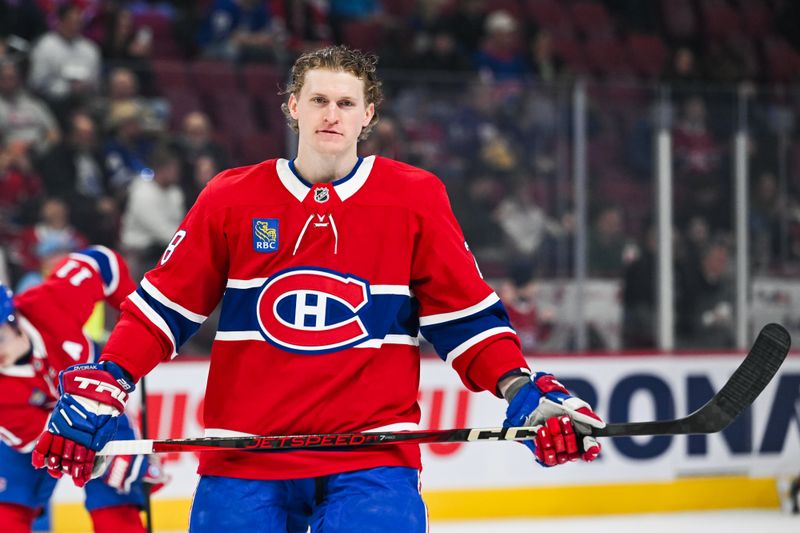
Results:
[736, 468]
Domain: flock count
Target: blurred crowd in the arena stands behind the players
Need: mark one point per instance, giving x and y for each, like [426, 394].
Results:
[114, 115]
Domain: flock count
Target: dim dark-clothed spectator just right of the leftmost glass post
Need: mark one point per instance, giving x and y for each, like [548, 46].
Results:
[607, 243]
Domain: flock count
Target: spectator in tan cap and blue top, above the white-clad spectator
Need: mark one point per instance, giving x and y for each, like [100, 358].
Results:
[127, 151]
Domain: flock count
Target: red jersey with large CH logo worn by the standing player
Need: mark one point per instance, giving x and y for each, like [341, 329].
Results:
[324, 292]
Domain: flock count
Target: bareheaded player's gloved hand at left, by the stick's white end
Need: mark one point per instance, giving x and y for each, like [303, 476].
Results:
[84, 419]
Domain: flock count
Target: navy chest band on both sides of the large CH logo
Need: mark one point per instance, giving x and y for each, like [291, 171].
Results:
[388, 314]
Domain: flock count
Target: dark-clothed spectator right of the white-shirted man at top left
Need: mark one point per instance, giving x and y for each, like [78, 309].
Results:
[126, 45]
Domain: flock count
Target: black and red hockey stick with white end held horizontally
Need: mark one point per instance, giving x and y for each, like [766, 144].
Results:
[746, 383]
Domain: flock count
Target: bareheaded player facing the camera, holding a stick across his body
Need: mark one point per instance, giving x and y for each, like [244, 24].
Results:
[328, 266]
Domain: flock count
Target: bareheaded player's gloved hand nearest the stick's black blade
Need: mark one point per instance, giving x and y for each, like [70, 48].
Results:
[564, 422]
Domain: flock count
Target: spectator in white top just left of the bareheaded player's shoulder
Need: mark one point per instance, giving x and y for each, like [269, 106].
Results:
[154, 211]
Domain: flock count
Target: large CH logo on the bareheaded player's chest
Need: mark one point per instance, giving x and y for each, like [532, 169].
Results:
[312, 310]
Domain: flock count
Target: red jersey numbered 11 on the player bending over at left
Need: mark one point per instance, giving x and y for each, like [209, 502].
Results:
[52, 315]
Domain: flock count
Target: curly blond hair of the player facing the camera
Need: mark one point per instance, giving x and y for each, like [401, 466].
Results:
[337, 58]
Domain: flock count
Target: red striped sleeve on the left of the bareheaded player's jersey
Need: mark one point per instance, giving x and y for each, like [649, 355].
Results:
[176, 296]
